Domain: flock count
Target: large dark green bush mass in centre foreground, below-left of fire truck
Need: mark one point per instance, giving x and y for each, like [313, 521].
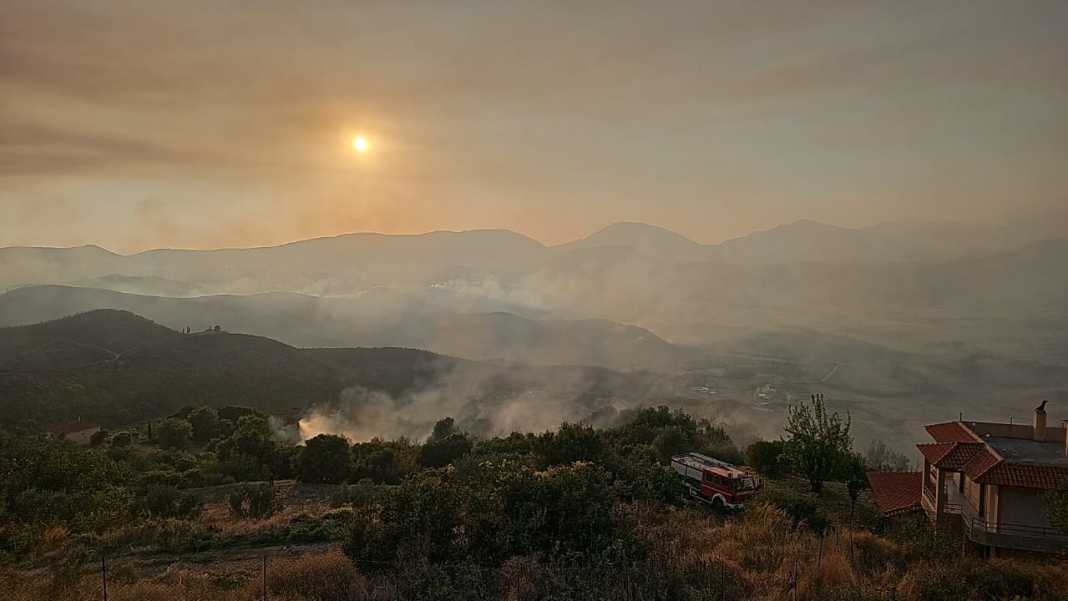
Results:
[486, 515]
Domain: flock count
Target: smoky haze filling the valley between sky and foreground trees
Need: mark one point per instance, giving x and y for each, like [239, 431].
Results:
[894, 323]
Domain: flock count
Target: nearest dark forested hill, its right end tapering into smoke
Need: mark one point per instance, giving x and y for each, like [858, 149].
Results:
[115, 368]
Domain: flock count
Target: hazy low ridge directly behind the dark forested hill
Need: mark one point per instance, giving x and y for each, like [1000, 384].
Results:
[437, 322]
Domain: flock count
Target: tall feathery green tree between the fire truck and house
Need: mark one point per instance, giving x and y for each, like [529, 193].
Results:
[819, 442]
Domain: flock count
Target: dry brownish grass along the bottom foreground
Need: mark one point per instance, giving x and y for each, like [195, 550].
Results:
[693, 556]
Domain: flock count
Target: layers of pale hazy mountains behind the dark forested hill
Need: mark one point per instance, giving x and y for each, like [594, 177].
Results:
[442, 291]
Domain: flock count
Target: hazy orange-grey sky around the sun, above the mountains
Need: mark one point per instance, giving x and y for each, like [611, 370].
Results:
[144, 123]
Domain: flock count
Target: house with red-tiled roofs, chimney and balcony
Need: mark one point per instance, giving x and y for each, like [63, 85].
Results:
[991, 479]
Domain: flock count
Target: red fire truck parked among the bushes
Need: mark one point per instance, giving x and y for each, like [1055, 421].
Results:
[717, 483]
